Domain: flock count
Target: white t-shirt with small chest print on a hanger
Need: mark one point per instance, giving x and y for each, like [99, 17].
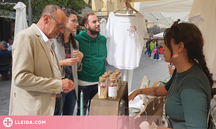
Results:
[125, 40]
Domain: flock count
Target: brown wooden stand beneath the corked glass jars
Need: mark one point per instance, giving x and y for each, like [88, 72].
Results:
[109, 106]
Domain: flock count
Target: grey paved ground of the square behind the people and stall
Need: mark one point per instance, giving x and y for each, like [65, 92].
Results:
[154, 70]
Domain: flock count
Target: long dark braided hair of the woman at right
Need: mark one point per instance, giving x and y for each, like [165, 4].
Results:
[192, 38]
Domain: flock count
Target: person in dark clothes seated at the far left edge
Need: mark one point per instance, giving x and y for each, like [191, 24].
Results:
[5, 55]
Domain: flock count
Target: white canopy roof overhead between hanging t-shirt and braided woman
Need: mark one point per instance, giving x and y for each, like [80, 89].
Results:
[165, 11]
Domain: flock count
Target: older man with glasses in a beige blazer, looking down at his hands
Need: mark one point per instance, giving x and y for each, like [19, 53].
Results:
[36, 77]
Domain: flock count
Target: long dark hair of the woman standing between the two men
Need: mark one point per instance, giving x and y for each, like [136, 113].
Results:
[60, 37]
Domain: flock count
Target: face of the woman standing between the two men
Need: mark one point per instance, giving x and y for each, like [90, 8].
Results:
[72, 23]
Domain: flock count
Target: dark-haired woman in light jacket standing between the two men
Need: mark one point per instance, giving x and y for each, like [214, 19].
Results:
[66, 48]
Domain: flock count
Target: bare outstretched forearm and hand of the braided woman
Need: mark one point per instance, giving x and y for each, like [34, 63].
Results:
[153, 91]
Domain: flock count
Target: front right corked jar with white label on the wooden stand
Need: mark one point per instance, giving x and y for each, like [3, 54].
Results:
[112, 89]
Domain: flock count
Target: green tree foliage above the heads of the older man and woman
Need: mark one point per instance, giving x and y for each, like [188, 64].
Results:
[38, 5]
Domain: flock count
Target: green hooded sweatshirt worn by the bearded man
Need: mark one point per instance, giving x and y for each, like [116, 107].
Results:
[95, 52]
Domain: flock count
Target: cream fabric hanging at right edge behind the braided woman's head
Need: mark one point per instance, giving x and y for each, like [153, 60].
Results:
[203, 14]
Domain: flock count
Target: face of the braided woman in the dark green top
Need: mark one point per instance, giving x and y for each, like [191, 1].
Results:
[167, 52]
